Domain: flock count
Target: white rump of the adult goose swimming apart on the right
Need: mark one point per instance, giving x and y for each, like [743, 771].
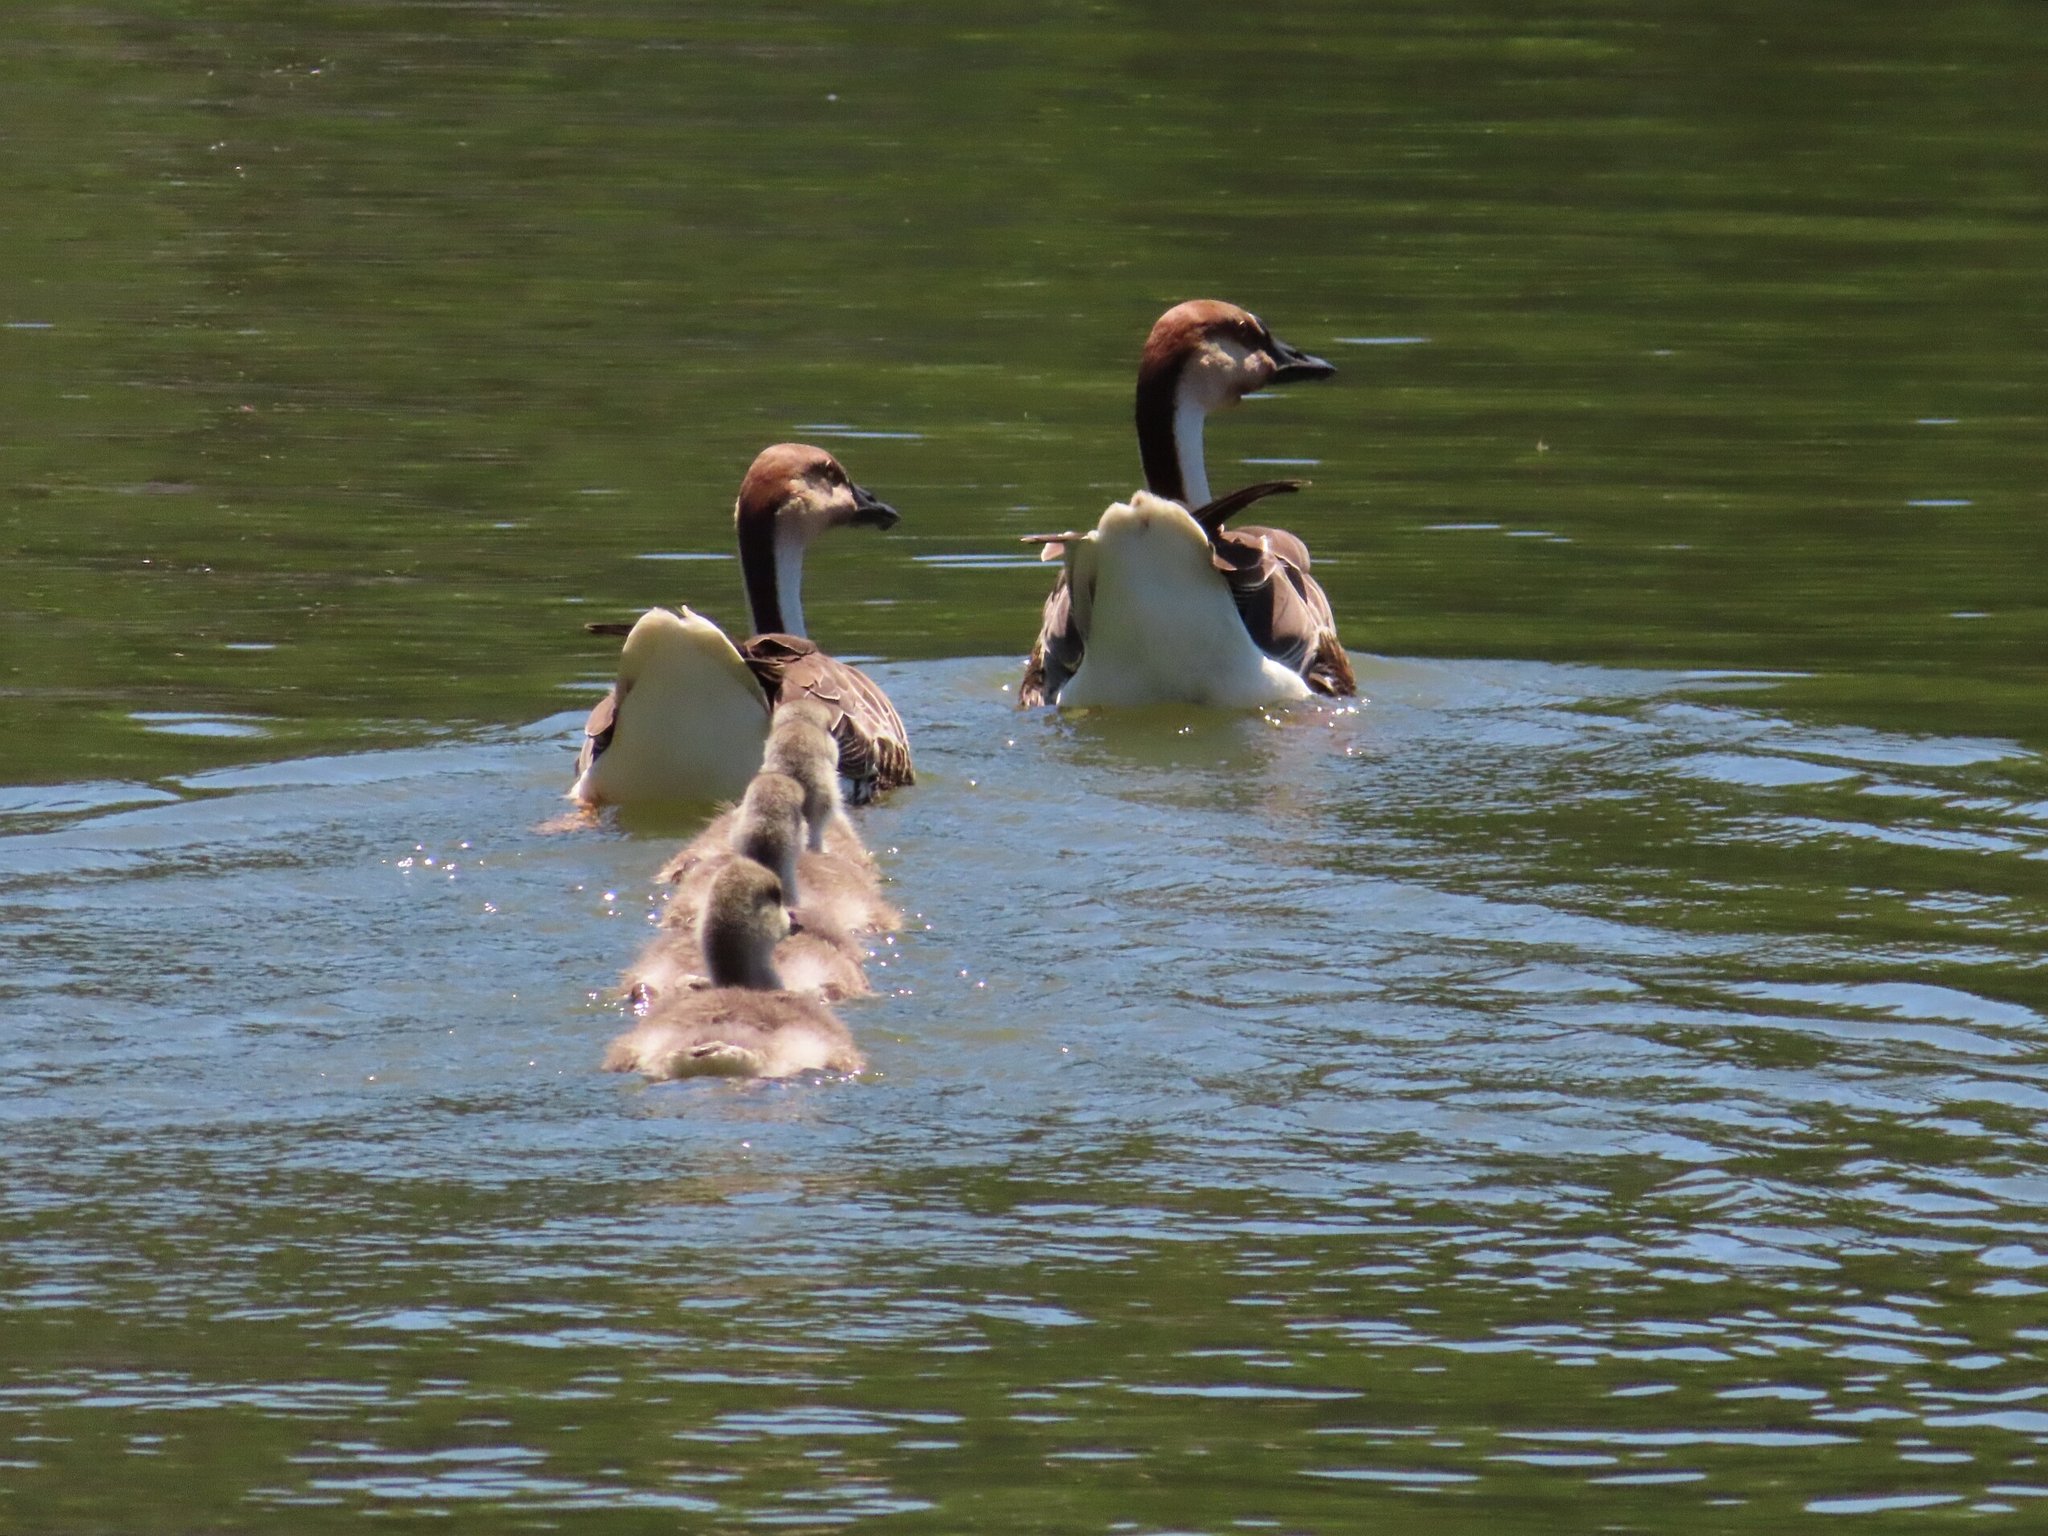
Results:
[1160, 620]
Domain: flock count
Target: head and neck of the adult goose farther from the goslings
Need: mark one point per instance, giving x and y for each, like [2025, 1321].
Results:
[1201, 357]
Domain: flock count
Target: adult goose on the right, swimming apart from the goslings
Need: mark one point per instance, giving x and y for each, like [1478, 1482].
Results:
[1203, 355]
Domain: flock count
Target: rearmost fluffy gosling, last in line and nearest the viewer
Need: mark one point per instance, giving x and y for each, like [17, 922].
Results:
[744, 1025]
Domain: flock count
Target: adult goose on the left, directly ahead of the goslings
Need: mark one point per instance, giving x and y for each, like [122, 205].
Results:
[689, 714]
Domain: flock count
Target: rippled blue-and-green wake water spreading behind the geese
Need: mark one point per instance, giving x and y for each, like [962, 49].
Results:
[1541, 1089]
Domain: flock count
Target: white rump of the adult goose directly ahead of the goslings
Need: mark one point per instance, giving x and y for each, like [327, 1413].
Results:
[691, 718]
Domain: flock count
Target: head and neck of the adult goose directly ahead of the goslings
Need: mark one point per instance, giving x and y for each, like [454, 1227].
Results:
[792, 495]
